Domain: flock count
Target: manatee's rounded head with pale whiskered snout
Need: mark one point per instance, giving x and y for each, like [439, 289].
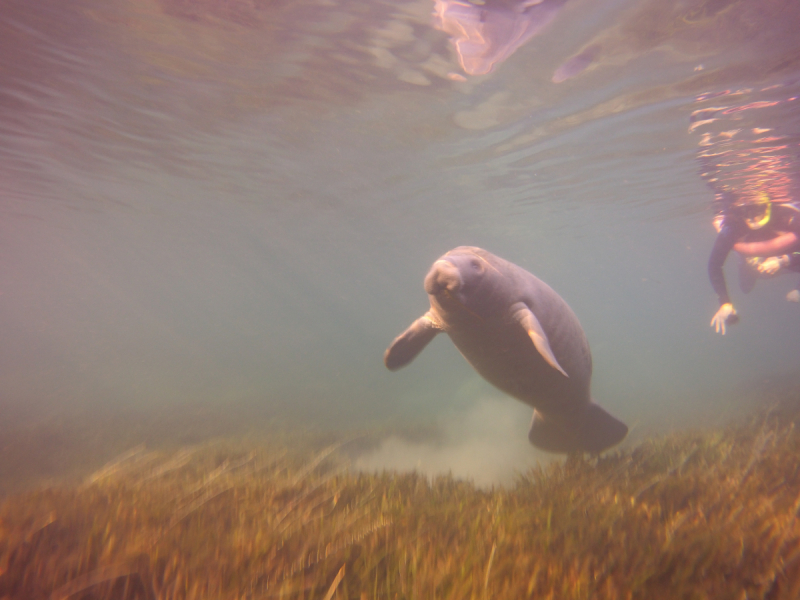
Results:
[463, 278]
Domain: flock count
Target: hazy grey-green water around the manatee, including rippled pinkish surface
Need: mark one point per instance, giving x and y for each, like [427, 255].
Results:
[228, 208]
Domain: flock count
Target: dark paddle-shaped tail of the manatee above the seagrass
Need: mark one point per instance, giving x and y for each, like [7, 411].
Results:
[593, 430]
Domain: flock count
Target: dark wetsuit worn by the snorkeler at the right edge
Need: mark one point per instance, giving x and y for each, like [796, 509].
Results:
[785, 218]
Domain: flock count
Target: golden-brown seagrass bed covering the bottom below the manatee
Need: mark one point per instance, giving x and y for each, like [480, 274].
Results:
[691, 515]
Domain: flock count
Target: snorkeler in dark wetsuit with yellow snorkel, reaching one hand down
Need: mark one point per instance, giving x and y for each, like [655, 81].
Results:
[767, 233]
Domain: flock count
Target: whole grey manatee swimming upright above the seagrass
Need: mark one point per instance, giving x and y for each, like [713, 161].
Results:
[520, 336]
